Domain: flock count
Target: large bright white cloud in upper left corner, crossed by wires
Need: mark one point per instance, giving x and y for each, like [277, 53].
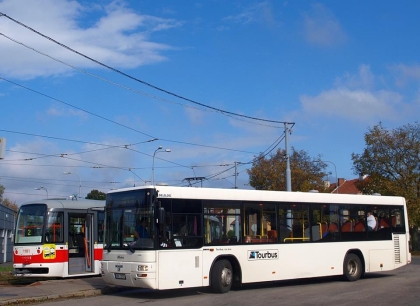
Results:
[119, 37]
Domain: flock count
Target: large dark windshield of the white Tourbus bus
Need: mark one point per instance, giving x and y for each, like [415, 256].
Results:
[129, 223]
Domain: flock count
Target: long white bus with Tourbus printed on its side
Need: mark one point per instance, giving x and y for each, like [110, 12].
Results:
[195, 236]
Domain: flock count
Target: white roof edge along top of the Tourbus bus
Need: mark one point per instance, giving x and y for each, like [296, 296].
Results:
[266, 195]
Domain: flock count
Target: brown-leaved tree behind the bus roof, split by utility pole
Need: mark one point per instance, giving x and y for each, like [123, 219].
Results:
[270, 173]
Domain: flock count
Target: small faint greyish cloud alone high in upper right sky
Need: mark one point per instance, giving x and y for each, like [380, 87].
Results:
[321, 27]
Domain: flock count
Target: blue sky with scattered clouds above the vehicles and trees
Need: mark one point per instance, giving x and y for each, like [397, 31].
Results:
[333, 68]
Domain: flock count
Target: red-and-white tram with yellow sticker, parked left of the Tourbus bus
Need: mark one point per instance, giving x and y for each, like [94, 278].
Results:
[58, 238]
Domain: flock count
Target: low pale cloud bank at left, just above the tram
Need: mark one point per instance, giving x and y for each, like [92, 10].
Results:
[29, 165]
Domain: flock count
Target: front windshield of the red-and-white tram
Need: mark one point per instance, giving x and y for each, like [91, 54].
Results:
[30, 223]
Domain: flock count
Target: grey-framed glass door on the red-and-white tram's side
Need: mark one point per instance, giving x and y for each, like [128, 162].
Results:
[80, 243]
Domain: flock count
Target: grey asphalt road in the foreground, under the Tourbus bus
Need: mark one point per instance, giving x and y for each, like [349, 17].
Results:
[399, 287]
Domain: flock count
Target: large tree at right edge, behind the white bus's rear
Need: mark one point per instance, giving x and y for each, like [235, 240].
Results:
[392, 161]
